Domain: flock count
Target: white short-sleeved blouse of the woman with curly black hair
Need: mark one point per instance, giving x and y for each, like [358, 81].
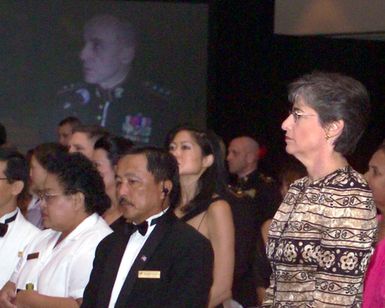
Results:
[63, 270]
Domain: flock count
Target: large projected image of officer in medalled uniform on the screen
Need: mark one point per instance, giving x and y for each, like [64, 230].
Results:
[111, 97]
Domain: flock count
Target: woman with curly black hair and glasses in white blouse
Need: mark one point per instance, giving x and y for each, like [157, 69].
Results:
[55, 267]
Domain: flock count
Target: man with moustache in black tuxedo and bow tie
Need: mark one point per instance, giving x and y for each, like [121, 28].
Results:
[159, 261]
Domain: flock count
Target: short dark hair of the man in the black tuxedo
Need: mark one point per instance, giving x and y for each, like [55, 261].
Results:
[164, 167]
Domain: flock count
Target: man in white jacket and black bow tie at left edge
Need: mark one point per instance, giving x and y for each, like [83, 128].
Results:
[15, 231]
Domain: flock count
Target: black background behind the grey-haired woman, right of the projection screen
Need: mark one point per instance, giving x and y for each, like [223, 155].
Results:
[250, 68]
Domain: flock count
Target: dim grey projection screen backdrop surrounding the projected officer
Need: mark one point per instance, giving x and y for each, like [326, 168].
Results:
[40, 42]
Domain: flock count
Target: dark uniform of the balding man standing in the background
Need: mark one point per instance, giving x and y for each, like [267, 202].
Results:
[256, 199]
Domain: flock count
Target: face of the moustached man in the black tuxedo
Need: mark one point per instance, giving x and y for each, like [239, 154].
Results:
[140, 196]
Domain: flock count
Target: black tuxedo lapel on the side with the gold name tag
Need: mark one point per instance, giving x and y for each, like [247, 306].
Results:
[144, 256]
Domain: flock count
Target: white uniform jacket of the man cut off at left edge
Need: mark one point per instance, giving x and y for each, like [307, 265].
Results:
[20, 232]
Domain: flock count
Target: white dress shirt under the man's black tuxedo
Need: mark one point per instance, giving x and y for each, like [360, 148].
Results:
[134, 245]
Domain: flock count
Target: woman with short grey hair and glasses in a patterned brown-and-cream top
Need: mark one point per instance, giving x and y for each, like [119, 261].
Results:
[321, 236]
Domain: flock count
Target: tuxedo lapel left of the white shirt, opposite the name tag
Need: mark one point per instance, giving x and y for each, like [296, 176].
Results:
[111, 268]
